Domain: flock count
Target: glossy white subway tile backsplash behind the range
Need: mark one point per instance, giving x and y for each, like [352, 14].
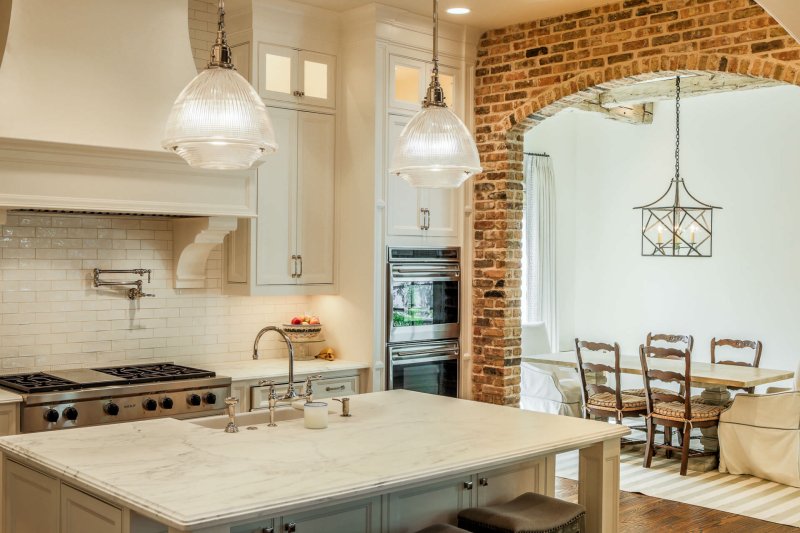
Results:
[52, 317]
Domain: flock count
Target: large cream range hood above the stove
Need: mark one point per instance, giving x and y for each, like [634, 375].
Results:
[85, 89]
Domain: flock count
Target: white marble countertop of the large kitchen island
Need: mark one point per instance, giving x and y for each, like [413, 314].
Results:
[187, 476]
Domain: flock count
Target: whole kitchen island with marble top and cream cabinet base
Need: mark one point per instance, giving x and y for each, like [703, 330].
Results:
[402, 461]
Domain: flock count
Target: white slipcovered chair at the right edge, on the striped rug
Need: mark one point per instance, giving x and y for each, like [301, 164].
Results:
[759, 435]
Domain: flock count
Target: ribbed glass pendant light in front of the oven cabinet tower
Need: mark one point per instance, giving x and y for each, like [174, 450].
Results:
[435, 149]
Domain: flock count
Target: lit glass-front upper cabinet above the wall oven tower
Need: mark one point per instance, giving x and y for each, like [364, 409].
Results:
[408, 84]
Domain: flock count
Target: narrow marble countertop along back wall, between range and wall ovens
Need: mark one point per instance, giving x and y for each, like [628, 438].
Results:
[272, 368]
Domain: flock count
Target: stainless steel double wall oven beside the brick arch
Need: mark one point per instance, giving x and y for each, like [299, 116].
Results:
[423, 319]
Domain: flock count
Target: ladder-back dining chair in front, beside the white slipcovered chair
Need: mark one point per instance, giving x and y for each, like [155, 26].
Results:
[672, 409]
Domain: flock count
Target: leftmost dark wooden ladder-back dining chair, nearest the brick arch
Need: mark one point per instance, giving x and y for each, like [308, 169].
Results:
[599, 399]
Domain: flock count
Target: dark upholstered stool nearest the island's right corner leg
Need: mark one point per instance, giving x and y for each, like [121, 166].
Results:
[529, 513]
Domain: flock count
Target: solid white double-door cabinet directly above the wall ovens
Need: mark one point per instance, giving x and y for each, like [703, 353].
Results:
[417, 212]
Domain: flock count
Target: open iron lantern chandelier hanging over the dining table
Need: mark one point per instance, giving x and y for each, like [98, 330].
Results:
[681, 225]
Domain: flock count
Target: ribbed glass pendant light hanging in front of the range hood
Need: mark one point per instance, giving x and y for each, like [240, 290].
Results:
[219, 121]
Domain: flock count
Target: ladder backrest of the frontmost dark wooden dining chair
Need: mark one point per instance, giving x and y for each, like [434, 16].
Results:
[684, 379]
